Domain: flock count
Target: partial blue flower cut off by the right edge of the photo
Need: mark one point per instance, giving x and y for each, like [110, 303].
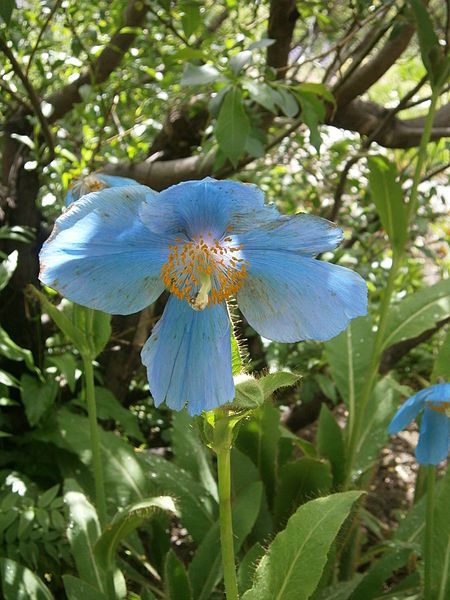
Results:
[434, 436]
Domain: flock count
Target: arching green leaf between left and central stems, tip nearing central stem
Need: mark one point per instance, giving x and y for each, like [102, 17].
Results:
[198, 509]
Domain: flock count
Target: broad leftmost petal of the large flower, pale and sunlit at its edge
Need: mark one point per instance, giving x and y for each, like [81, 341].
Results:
[101, 255]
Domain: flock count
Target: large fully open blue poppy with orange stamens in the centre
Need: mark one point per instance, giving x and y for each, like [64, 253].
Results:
[117, 250]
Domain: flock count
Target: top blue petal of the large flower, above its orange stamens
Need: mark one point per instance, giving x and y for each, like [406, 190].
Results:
[198, 208]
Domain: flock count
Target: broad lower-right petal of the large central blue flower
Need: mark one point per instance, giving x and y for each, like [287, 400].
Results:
[288, 297]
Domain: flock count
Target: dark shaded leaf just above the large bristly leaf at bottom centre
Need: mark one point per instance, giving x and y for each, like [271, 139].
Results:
[300, 481]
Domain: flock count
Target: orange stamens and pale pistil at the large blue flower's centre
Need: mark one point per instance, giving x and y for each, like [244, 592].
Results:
[204, 270]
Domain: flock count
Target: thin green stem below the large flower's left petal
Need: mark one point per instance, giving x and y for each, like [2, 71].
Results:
[100, 500]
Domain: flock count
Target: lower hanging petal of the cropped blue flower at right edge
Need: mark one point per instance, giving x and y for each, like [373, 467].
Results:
[434, 438]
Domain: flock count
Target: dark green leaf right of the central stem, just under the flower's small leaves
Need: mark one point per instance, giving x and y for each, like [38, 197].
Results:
[258, 439]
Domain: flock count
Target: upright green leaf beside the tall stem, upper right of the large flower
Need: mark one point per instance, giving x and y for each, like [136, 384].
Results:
[387, 195]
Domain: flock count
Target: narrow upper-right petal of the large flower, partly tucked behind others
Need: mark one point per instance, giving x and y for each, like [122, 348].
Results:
[306, 234]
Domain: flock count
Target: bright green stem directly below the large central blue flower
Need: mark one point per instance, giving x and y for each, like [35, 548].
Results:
[226, 525]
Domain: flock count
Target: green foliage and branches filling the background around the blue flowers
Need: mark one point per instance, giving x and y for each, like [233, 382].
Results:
[323, 105]
